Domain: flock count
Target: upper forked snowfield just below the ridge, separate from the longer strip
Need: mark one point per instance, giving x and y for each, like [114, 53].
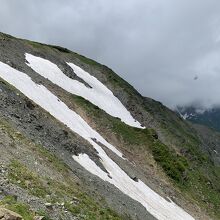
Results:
[99, 94]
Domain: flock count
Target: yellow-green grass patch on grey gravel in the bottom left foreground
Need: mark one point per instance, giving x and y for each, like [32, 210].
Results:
[82, 206]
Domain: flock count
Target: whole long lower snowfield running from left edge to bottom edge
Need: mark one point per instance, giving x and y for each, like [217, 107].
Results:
[154, 203]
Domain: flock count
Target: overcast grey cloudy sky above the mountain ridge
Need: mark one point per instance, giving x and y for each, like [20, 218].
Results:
[167, 49]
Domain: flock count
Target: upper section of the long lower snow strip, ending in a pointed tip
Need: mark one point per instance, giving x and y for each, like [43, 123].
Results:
[44, 98]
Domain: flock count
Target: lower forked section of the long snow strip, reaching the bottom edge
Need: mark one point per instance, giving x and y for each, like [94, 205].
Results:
[153, 202]
